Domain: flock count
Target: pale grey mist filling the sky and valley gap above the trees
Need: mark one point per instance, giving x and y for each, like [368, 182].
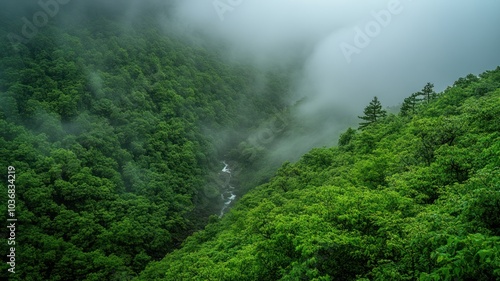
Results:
[344, 52]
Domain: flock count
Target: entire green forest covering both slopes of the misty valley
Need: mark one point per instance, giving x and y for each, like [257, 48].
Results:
[117, 134]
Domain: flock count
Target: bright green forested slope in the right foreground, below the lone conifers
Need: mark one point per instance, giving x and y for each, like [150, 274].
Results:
[413, 196]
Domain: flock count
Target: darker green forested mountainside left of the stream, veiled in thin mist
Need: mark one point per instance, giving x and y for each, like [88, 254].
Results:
[112, 131]
